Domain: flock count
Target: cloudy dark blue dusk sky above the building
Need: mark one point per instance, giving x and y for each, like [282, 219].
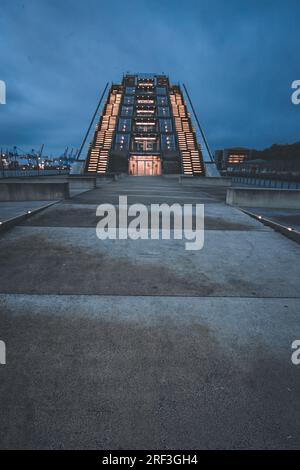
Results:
[237, 58]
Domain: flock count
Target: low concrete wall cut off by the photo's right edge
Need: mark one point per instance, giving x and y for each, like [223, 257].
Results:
[258, 197]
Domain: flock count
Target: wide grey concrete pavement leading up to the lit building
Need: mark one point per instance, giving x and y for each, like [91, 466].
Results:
[124, 344]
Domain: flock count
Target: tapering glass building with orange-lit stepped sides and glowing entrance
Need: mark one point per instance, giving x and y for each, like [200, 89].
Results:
[145, 129]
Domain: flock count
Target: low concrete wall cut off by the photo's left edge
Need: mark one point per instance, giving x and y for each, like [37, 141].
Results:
[31, 191]
